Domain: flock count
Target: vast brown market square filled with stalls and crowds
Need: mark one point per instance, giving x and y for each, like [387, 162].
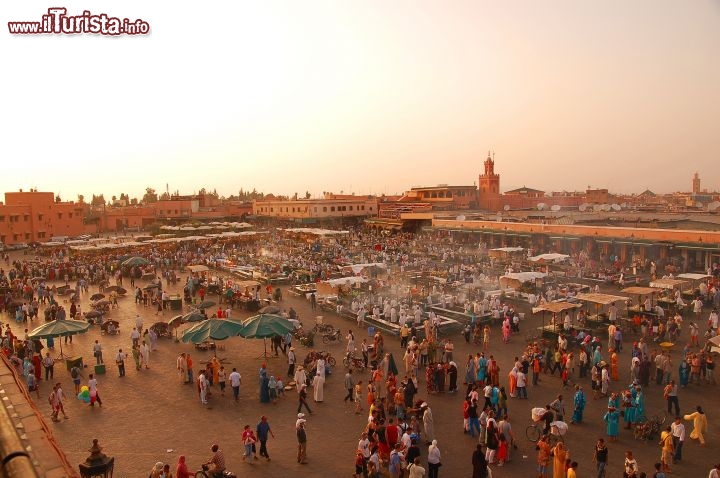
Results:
[446, 288]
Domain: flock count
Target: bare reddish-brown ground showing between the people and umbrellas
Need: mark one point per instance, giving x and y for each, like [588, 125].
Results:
[149, 416]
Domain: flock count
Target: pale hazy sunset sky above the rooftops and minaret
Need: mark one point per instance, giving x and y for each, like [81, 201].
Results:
[366, 96]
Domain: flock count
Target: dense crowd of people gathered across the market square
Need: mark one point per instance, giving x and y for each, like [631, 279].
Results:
[399, 436]
